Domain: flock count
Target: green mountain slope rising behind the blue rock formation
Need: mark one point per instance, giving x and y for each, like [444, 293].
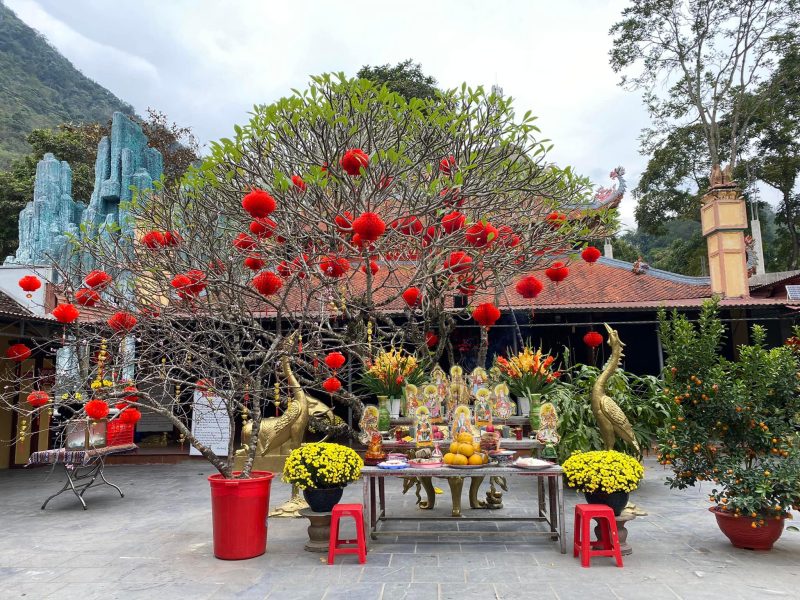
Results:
[41, 88]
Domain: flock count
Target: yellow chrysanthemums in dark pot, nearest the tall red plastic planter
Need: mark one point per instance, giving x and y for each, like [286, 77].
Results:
[322, 470]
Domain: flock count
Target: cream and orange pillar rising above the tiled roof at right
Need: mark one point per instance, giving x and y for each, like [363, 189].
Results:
[724, 219]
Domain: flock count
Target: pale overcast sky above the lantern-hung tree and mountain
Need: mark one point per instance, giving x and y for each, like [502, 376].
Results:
[206, 62]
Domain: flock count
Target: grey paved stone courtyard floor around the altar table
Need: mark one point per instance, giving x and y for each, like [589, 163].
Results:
[156, 543]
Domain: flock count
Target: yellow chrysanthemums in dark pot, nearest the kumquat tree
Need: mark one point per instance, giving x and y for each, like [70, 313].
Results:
[604, 476]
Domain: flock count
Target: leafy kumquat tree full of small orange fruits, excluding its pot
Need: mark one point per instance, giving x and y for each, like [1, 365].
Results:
[736, 423]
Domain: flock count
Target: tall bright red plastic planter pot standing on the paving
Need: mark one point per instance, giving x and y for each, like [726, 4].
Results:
[239, 510]
